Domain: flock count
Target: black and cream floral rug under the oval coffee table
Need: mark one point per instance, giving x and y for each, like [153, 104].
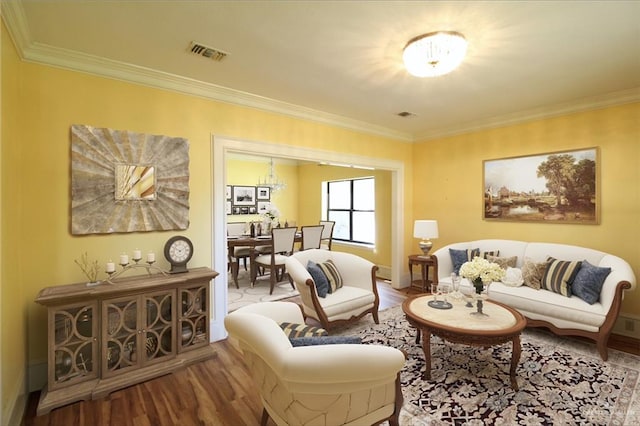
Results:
[562, 380]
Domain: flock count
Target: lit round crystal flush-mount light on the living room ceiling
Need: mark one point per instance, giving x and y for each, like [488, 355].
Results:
[434, 54]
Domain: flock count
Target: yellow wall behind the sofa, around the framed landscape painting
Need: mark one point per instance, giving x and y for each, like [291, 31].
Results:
[452, 189]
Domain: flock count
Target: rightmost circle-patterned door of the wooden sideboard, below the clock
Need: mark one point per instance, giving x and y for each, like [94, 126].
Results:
[194, 317]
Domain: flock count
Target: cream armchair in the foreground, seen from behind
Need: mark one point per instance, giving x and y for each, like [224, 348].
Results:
[340, 384]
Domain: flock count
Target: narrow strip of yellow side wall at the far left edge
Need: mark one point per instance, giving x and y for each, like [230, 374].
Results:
[13, 312]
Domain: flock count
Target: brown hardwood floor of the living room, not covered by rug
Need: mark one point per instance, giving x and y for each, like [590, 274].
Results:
[218, 392]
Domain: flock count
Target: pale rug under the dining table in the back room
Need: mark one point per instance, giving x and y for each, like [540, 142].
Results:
[247, 295]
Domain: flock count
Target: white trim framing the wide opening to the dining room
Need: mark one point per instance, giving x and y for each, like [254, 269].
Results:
[222, 146]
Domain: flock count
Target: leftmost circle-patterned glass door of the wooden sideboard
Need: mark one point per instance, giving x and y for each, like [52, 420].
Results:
[73, 329]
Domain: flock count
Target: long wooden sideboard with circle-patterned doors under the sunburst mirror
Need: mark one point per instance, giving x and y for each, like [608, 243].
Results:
[111, 336]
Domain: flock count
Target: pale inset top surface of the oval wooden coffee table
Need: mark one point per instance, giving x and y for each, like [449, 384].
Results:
[498, 318]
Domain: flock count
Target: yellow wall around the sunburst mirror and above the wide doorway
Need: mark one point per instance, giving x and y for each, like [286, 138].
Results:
[48, 101]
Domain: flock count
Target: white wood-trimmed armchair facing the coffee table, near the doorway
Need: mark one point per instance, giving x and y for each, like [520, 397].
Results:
[357, 297]
